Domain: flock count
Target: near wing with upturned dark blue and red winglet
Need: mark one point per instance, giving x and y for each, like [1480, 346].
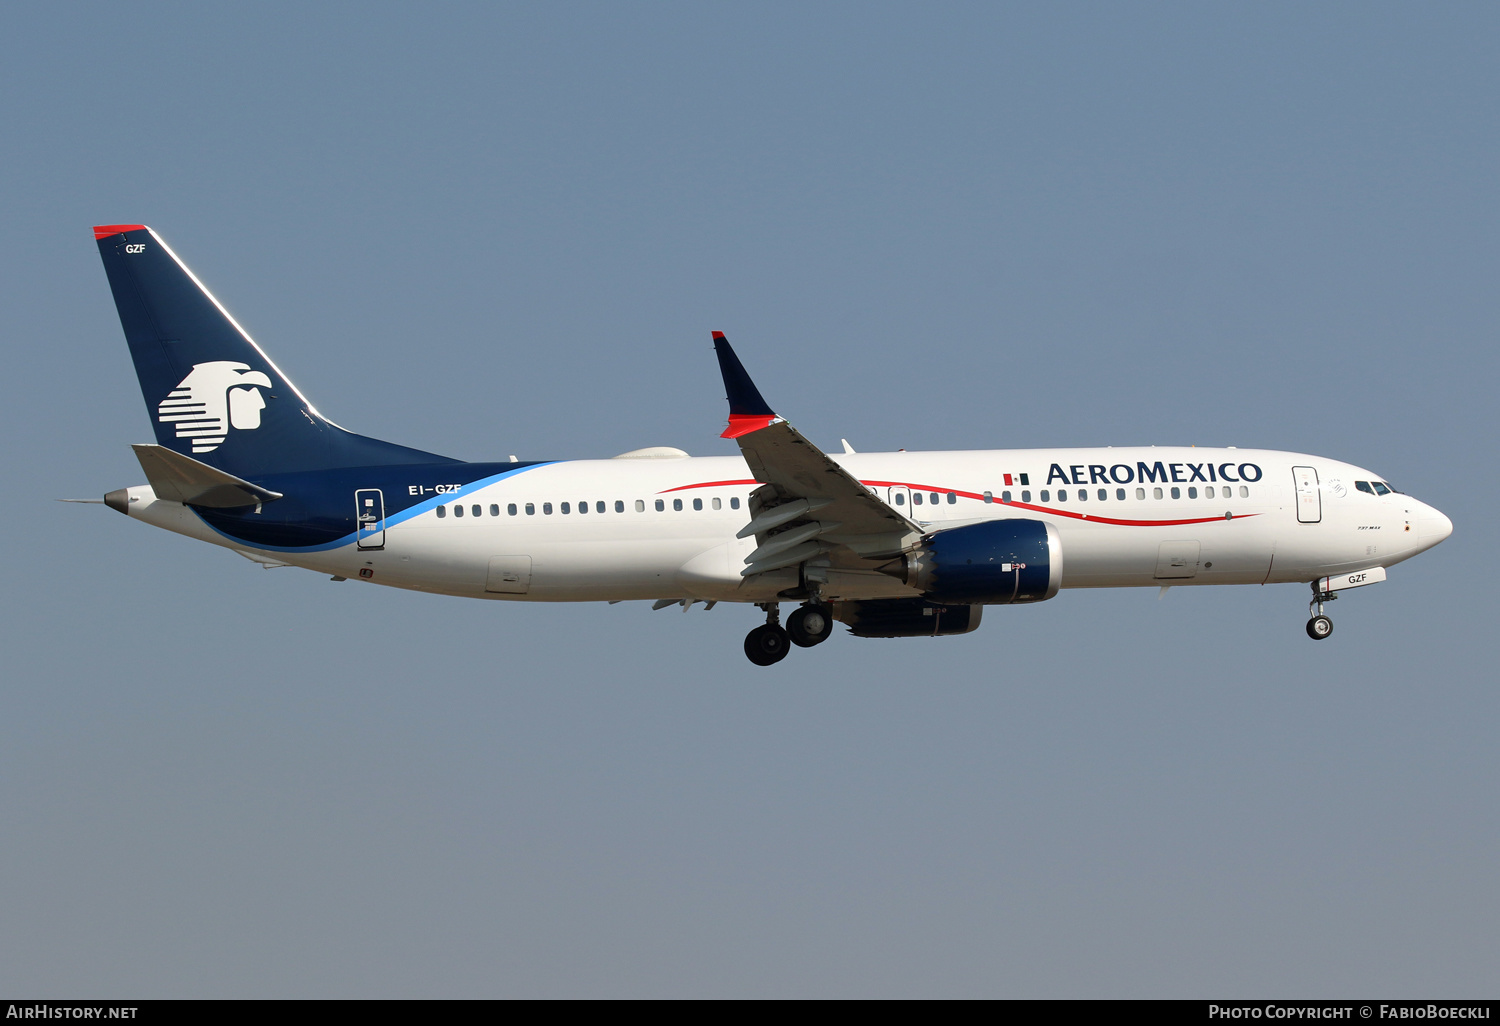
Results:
[808, 506]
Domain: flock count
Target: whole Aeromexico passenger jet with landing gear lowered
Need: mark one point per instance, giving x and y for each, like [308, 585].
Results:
[892, 545]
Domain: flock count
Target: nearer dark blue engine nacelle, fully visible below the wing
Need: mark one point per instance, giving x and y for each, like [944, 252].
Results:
[994, 563]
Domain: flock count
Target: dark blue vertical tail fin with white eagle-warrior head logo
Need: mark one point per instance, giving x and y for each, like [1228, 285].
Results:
[209, 389]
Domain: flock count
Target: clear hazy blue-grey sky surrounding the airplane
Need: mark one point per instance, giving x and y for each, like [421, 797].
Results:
[496, 229]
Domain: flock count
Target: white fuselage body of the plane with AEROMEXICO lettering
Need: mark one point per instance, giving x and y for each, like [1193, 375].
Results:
[1202, 517]
